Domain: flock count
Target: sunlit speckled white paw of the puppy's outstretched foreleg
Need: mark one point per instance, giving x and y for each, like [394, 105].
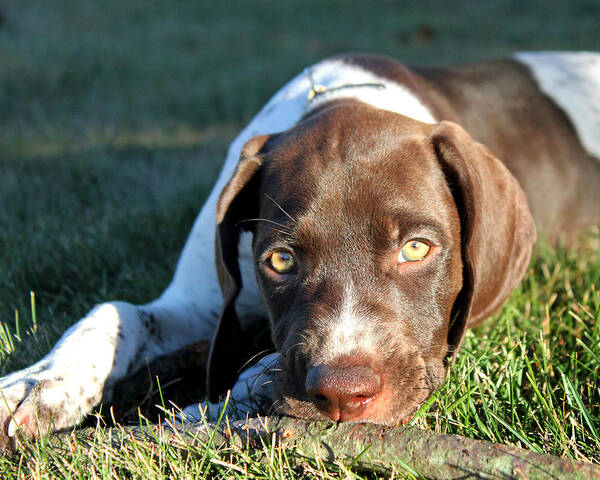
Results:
[33, 405]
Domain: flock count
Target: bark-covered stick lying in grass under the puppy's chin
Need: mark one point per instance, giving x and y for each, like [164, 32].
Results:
[367, 447]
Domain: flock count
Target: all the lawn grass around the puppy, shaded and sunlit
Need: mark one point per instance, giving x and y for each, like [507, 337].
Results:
[114, 118]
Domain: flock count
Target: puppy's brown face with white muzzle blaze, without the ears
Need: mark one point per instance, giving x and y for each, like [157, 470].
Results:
[360, 268]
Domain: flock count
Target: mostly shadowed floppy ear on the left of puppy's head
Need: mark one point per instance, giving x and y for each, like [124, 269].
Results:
[238, 201]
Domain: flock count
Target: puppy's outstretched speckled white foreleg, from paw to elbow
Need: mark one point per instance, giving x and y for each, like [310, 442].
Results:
[110, 343]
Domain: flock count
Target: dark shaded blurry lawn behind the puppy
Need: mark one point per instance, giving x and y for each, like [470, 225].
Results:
[115, 116]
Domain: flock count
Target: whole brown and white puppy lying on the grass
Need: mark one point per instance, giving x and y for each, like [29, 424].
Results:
[370, 163]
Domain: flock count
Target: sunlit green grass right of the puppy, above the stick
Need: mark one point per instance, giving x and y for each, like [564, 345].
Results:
[532, 377]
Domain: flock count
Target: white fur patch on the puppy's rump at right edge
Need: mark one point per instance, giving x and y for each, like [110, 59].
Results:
[572, 80]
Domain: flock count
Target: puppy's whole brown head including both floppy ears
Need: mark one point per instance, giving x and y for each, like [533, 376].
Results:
[377, 240]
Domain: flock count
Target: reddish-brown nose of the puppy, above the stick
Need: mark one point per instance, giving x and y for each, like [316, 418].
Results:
[342, 393]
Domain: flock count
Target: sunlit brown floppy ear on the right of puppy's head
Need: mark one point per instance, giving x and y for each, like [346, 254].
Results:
[497, 230]
